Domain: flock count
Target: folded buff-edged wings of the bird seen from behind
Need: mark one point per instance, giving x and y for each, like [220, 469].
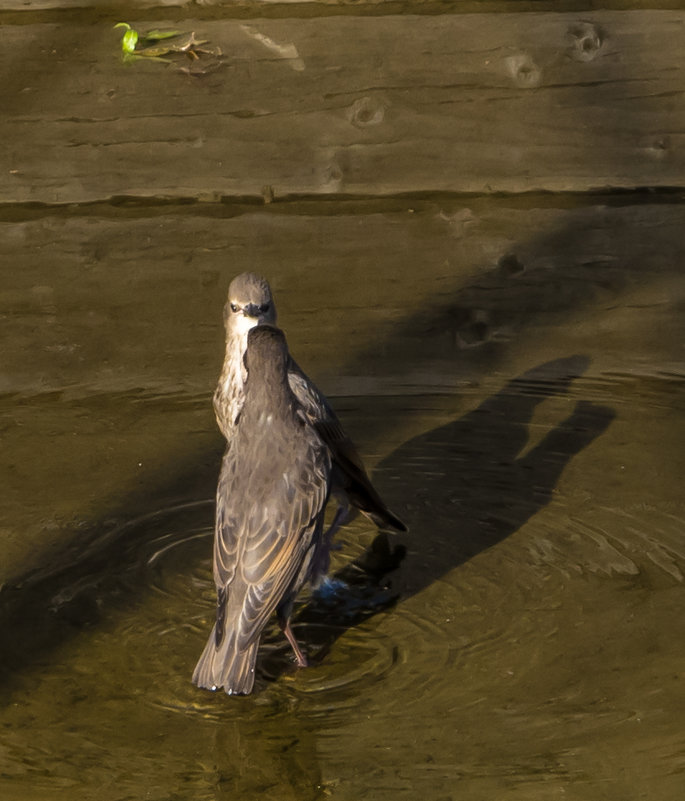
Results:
[267, 545]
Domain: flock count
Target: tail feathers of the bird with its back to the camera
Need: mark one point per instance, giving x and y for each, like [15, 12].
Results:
[225, 665]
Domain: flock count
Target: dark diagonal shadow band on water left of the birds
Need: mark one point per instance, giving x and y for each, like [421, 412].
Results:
[78, 587]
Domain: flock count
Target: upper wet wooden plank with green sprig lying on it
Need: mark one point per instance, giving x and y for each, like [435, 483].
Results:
[339, 106]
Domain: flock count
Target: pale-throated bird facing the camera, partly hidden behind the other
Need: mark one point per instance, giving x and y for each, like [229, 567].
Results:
[250, 303]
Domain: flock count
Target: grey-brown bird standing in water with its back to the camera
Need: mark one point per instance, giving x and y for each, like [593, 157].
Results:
[273, 488]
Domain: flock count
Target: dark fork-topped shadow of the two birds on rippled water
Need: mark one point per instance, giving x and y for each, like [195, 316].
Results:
[478, 485]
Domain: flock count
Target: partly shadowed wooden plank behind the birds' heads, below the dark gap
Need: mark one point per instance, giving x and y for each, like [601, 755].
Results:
[425, 296]
